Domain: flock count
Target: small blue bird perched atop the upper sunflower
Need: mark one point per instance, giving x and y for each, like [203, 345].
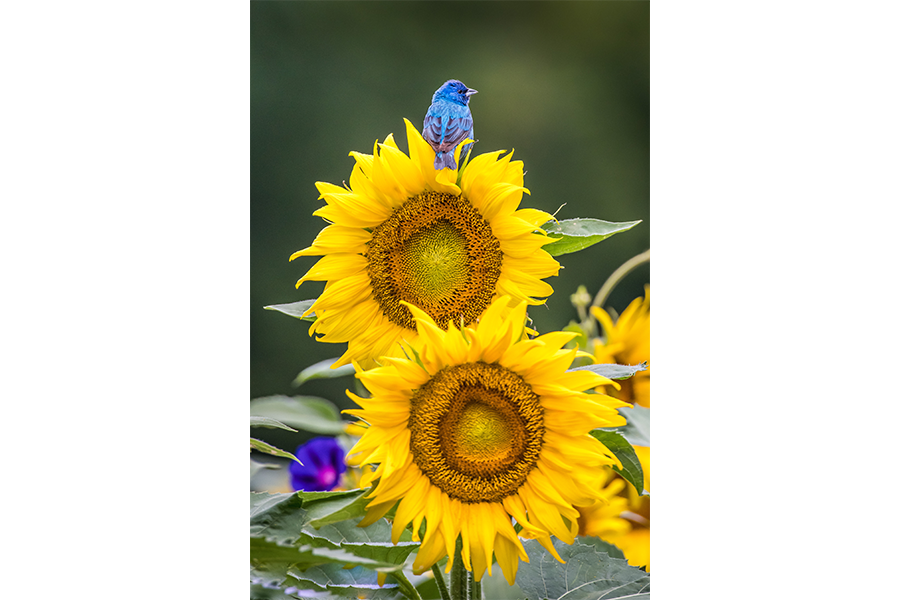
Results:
[448, 122]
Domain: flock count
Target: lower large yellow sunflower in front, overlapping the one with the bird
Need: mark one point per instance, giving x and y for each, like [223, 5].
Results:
[479, 426]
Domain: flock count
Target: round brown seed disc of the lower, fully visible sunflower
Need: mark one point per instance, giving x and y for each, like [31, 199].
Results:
[476, 430]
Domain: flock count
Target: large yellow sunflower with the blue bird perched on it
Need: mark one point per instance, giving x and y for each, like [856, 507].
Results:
[444, 242]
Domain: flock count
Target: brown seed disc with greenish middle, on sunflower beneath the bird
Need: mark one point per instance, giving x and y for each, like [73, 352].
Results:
[438, 253]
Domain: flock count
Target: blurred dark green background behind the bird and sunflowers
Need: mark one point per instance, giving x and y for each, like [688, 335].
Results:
[565, 83]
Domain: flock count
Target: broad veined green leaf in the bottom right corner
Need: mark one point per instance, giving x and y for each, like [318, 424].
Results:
[586, 575]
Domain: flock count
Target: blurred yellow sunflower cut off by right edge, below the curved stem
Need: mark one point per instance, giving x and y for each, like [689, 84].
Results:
[627, 343]
